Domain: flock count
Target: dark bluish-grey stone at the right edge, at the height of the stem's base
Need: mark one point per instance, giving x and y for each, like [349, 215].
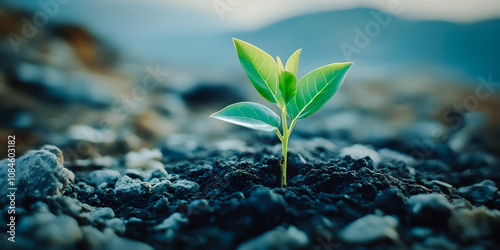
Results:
[479, 193]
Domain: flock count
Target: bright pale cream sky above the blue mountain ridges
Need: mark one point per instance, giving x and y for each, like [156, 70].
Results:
[253, 14]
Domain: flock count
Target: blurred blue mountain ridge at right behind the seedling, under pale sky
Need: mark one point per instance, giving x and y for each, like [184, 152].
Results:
[468, 49]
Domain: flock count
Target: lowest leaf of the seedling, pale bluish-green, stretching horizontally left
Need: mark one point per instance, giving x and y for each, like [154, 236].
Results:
[249, 114]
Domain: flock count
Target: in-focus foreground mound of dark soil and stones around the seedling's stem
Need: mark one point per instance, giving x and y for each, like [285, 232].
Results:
[227, 195]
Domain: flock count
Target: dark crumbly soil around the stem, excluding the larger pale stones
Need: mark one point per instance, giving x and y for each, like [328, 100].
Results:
[241, 198]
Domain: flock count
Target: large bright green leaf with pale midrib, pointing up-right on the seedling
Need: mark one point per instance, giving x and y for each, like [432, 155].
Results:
[316, 88]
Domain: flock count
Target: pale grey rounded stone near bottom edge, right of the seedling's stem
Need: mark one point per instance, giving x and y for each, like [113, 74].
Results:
[369, 229]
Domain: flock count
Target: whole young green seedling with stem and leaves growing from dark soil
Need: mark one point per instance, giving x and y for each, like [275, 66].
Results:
[278, 84]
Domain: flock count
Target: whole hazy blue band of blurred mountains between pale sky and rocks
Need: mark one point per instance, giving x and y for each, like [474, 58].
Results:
[379, 44]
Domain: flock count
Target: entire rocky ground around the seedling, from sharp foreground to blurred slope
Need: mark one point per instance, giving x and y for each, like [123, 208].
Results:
[384, 165]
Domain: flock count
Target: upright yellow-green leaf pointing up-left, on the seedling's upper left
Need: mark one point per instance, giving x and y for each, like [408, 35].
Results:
[261, 69]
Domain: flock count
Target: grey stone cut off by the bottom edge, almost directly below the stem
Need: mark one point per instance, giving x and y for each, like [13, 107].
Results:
[277, 239]
